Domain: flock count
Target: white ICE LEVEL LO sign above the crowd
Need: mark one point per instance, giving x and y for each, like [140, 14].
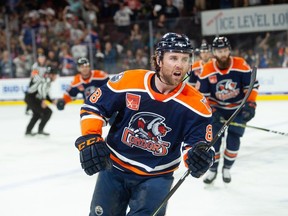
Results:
[243, 20]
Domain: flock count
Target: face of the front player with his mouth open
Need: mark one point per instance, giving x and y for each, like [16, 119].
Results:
[174, 67]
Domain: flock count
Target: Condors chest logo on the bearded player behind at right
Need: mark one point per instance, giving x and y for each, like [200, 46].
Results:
[226, 89]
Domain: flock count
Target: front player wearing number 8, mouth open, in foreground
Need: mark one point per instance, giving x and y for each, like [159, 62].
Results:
[157, 113]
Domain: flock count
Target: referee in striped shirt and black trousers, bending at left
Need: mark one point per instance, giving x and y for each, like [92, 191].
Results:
[37, 94]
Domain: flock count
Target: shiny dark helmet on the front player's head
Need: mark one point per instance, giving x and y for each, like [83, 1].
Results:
[172, 42]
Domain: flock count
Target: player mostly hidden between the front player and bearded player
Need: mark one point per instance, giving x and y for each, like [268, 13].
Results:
[196, 69]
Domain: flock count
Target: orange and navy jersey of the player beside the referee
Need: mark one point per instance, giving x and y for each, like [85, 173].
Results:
[85, 87]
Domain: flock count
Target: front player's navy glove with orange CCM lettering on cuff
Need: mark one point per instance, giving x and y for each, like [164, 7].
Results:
[94, 153]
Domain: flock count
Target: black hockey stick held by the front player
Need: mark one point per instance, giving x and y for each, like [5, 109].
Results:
[214, 140]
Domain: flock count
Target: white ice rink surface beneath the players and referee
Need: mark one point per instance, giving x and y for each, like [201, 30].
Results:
[42, 176]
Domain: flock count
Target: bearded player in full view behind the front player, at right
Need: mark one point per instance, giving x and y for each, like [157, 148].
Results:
[224, 81]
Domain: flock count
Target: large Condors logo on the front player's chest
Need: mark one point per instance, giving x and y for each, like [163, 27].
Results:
[145, 131]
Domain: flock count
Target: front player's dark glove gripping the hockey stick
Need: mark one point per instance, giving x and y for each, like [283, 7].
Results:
[199, 159]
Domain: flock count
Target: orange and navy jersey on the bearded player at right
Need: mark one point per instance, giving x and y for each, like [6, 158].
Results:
[226, 88]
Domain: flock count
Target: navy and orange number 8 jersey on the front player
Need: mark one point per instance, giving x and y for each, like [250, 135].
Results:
[150, 128]
